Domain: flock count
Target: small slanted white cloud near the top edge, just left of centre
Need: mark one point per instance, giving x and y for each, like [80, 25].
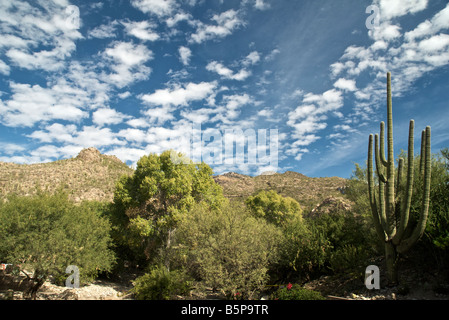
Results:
[226, 23]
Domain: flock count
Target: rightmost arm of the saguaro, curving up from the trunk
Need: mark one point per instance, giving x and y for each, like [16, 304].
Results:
[421, 226]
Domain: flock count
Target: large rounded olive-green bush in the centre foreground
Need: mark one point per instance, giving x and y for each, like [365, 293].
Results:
[227, 249]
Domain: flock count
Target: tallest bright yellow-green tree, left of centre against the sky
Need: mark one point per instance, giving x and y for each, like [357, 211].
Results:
[149, 204]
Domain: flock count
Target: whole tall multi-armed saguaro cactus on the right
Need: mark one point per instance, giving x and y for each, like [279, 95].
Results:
[390, 205]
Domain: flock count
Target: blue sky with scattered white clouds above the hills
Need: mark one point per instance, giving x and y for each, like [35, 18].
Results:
[133, 77]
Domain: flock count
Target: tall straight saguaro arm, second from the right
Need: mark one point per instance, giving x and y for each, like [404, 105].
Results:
[409, 186]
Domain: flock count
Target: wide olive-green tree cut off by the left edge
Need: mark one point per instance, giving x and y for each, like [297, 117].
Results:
[44, 234]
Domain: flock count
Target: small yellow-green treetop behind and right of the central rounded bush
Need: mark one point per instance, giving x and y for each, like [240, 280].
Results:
[273, 207]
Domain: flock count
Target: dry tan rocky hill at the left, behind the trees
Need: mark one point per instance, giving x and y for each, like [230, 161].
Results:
[89, 176]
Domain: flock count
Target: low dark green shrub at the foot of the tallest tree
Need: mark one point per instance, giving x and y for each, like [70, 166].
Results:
[161, 284]
